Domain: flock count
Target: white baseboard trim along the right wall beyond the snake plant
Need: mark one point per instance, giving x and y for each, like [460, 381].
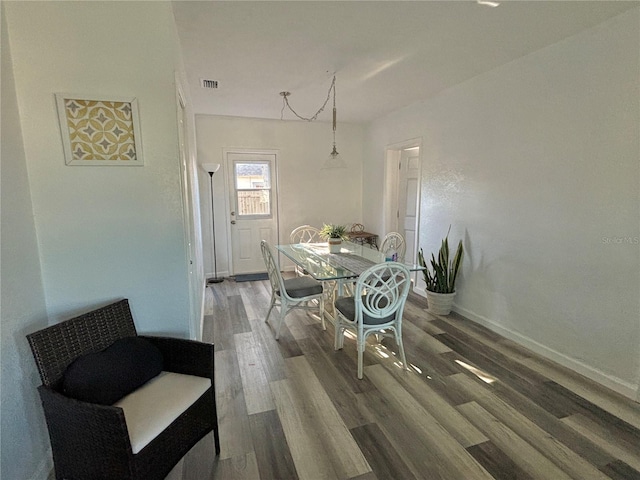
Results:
[616, 384]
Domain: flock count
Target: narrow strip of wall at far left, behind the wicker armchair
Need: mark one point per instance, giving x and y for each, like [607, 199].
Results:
[23, 443]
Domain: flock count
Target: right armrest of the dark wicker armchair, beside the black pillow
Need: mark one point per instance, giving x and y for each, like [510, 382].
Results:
[189, 357]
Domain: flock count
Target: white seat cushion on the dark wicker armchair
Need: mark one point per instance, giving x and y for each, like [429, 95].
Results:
[151, 408]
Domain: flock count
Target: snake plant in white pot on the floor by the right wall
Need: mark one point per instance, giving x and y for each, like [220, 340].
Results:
[441, 276]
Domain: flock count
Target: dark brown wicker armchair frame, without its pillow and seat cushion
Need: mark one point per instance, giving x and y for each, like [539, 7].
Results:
[91, 441]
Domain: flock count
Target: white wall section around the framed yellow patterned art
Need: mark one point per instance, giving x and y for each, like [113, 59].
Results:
[104, 232]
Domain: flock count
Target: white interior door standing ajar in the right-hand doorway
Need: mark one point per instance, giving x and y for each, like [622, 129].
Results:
[408, 190]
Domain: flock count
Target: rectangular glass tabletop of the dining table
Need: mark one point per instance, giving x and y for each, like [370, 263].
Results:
[322, 265]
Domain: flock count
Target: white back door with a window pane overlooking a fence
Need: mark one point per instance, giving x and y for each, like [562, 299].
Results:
[254, 208]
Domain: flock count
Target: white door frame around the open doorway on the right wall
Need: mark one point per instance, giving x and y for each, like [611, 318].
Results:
[392, 156]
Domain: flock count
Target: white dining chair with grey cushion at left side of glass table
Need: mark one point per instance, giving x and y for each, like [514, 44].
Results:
[292, 293]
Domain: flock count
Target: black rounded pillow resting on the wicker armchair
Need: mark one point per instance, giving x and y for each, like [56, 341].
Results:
[107, 376]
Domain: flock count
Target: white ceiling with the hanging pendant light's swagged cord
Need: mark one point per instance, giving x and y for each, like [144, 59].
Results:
[385, 54]
